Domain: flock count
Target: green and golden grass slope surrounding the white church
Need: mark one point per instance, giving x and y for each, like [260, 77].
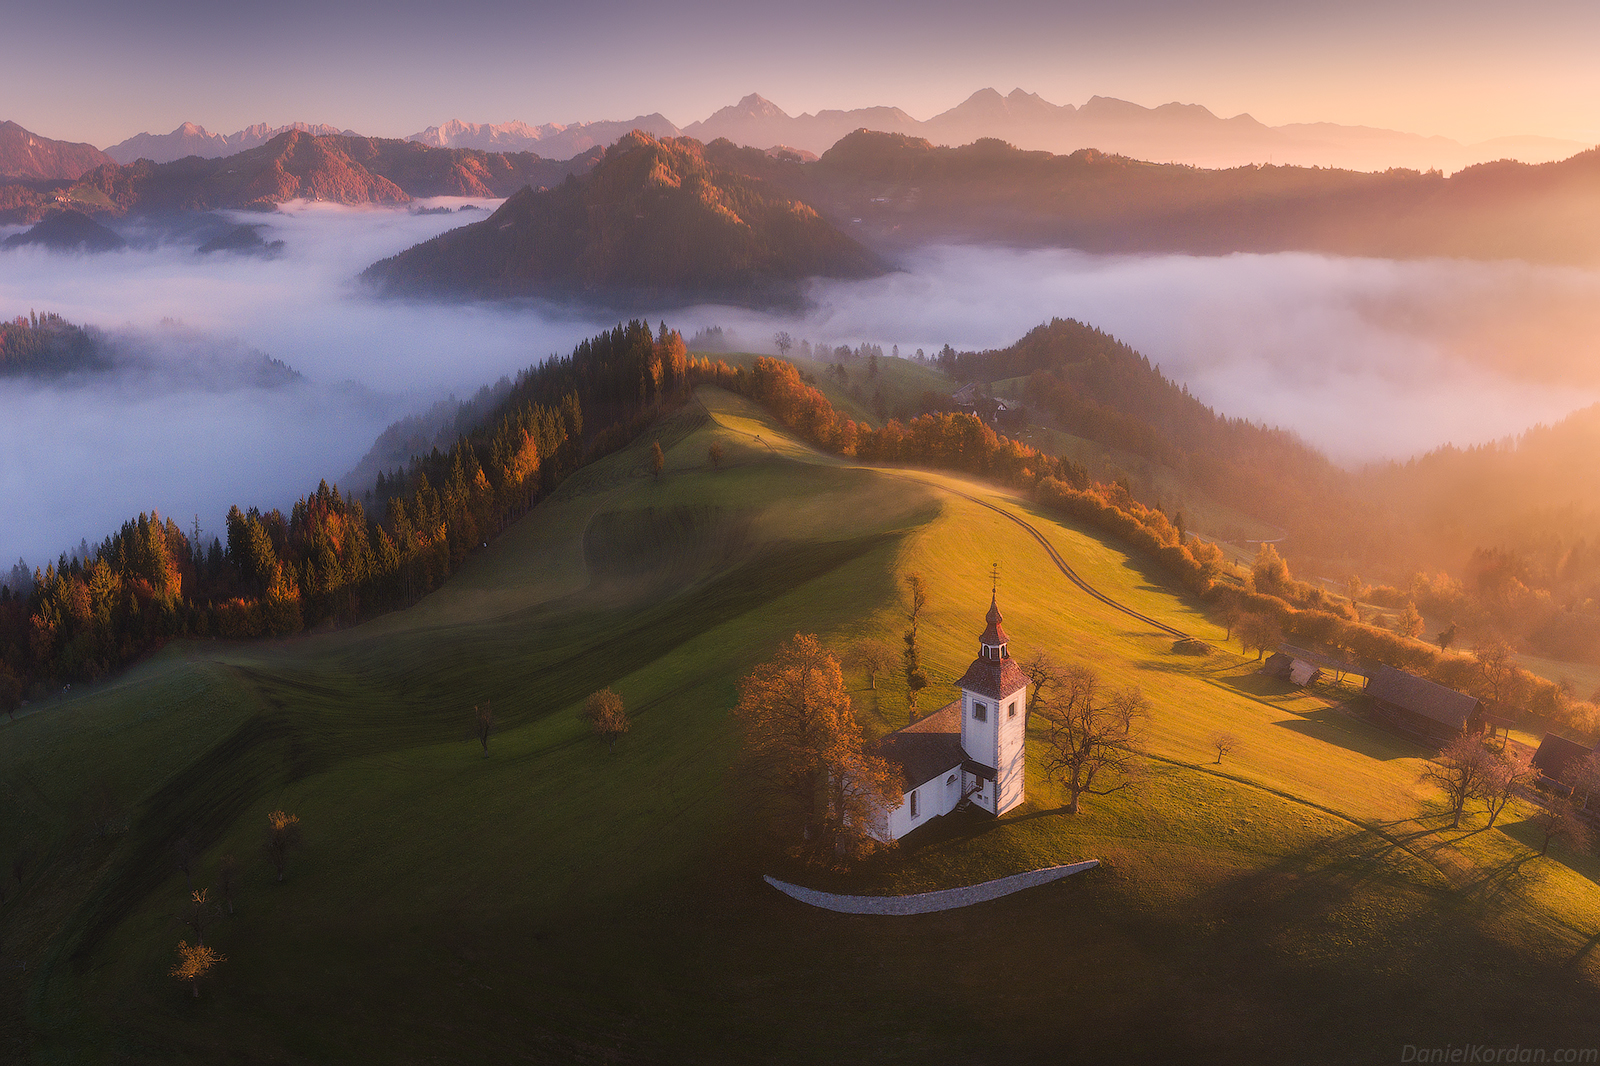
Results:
[559, 904]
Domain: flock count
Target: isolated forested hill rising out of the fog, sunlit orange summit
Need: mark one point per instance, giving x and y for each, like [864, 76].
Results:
[655, 220]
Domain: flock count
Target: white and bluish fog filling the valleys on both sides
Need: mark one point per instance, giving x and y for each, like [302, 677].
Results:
[1366, 359]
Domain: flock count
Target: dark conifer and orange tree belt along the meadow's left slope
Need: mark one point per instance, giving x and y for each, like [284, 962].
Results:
[329, 559]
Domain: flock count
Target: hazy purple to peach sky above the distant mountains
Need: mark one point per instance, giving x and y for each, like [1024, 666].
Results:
[103, 70]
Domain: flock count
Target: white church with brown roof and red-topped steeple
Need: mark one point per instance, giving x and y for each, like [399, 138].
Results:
[972, 750]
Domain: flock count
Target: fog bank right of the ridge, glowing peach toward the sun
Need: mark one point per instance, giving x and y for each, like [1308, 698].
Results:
[1367, 359]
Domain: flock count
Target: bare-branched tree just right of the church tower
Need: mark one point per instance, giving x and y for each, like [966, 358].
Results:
[1092, 735]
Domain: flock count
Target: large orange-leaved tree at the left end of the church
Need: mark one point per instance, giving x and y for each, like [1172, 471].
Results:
[809, 756]
